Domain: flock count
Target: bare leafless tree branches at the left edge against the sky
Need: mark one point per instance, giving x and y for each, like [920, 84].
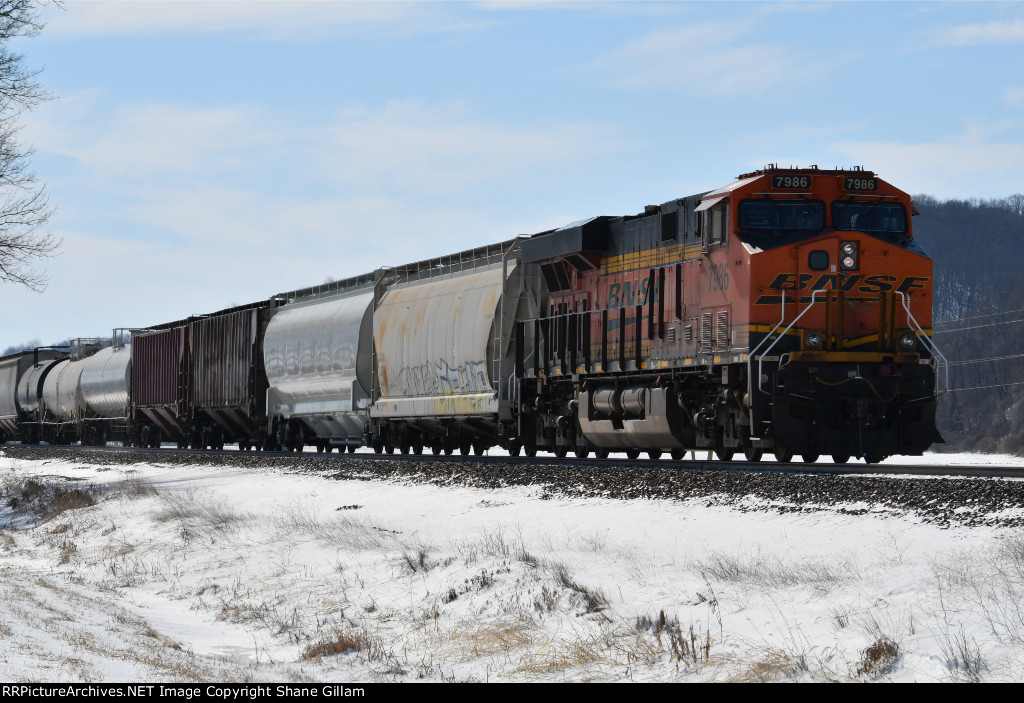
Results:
[25, 207]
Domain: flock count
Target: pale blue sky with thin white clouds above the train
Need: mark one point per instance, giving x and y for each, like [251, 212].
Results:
[209, 154]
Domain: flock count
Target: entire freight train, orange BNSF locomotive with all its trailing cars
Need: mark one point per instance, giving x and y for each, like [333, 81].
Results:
[788, 313]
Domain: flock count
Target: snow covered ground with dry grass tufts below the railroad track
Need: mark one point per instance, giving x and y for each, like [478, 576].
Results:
[204, 574]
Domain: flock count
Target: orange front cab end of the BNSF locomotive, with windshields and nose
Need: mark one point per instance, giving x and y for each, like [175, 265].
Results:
[841, 359]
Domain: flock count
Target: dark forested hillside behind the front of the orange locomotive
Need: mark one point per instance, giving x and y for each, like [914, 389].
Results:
[978, 248]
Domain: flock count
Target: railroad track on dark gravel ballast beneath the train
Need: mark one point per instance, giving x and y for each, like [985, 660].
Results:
[948, 496]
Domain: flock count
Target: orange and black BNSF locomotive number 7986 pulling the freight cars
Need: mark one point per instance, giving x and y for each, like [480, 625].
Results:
[789, 312]
